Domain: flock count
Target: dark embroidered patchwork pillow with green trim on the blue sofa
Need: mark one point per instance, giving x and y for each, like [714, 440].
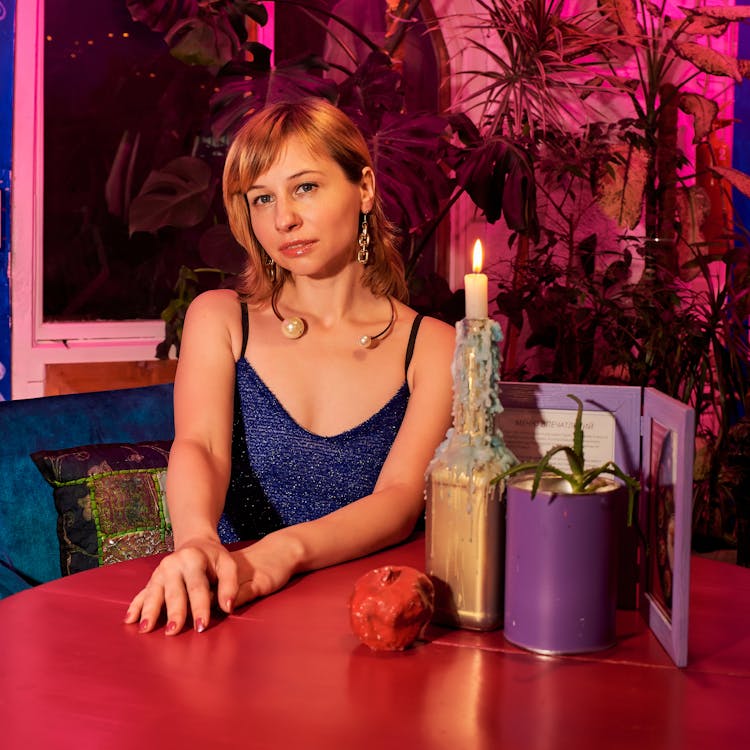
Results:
[110, 501]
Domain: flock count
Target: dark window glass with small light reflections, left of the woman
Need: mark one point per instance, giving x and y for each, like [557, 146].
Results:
[116, 106]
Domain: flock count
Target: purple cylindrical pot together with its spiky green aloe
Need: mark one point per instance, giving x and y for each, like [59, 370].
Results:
[562, 541]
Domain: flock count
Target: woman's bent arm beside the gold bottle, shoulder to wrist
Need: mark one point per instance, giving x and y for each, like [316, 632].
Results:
[388, 515]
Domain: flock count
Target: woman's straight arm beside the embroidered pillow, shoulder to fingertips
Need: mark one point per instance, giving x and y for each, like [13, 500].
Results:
[198, 473]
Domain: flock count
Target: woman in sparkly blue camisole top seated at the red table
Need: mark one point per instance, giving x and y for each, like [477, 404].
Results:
[316, 396]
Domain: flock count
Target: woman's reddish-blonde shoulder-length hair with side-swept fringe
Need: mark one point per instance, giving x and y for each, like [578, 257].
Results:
[321, 127]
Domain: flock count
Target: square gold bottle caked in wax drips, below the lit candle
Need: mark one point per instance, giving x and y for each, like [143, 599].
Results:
[465, 517]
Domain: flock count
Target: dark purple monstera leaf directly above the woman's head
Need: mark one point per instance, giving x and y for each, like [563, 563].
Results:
[245, 86]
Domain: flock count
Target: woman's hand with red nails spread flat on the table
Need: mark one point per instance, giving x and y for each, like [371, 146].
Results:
[190, 579]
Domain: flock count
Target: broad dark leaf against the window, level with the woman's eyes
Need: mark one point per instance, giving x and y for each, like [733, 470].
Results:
[177, 195]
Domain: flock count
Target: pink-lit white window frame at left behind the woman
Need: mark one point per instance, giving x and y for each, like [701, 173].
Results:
[34, 342]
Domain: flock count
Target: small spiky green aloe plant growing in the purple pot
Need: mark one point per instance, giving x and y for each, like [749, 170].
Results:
[582, 480]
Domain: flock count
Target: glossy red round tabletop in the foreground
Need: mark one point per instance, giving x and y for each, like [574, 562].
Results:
[287, 672]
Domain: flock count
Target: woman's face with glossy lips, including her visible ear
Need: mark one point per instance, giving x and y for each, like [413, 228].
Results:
[305, 212]
